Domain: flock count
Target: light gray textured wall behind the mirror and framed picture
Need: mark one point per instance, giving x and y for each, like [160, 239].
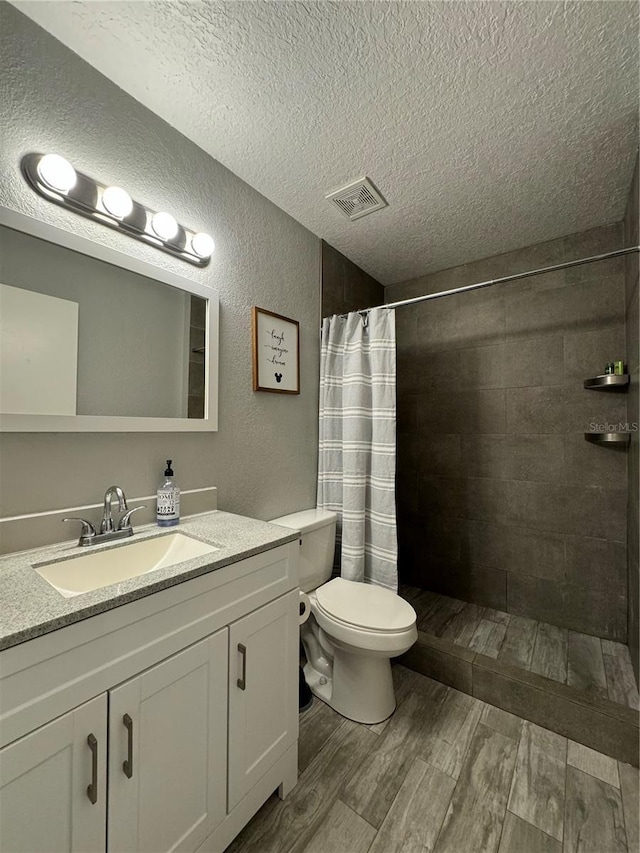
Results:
[263, 459]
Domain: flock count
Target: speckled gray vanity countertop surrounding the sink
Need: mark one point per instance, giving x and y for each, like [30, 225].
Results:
[30, 607]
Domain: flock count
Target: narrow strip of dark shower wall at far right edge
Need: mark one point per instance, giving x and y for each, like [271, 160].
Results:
[632, 267]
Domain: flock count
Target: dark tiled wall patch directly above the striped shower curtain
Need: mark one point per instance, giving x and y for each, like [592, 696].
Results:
[346, 287]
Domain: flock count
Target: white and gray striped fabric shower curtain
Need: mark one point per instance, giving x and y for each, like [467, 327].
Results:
[357, 451]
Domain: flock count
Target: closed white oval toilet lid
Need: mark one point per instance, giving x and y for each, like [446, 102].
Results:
[365, 605]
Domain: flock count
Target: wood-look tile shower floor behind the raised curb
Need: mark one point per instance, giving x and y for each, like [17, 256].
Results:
[600, 666]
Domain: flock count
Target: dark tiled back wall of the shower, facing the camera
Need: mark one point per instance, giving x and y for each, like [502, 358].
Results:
[501, 500]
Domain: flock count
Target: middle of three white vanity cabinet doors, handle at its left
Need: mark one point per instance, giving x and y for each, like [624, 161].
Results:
[168, 752]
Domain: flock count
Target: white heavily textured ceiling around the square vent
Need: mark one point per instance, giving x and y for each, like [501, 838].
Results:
[486, 125]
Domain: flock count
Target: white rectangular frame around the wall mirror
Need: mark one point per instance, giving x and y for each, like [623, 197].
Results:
[105, 423]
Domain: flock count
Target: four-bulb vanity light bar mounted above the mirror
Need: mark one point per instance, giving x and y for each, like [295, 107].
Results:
[54, 178]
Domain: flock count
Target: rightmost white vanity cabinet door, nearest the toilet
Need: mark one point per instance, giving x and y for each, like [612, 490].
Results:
[263, 691]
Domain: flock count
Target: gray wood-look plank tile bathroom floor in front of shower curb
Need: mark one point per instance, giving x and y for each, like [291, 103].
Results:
[446, 773]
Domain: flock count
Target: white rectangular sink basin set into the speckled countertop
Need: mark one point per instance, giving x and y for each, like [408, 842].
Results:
[103, 568]
